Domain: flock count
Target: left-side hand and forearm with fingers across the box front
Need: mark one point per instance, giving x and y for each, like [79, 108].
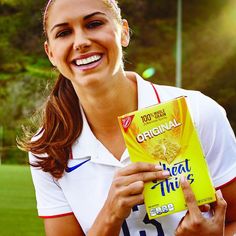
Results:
[125, 192]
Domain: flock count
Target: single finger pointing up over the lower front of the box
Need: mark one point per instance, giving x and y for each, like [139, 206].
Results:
[189, 197]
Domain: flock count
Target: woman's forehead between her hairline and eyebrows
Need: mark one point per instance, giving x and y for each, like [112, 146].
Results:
[64, 10]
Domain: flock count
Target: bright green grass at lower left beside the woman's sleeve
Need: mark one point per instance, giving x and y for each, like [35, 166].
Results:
[18, 215]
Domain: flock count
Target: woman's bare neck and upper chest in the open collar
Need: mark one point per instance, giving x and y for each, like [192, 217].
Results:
[104, 104]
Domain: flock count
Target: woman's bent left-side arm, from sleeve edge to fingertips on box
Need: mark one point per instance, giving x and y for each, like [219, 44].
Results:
[125, 192]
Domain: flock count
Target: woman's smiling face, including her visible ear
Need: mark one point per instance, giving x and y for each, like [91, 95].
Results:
[85, 40]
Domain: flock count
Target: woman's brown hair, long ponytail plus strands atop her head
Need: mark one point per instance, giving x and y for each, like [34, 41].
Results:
[61, 120]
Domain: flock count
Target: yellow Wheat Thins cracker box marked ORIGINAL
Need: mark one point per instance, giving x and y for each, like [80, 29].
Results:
[164, 134]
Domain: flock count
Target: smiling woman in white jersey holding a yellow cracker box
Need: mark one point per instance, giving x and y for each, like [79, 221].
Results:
[85, 184]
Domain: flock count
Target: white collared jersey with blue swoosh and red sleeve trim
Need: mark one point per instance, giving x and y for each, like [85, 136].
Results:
[83, 189]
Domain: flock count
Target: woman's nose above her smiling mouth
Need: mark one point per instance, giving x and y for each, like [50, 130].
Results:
[81, 41]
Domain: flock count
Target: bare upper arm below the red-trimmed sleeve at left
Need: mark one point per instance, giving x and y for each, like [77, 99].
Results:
[63, 226]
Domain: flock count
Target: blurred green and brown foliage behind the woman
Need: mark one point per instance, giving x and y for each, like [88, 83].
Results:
[209, 49]
